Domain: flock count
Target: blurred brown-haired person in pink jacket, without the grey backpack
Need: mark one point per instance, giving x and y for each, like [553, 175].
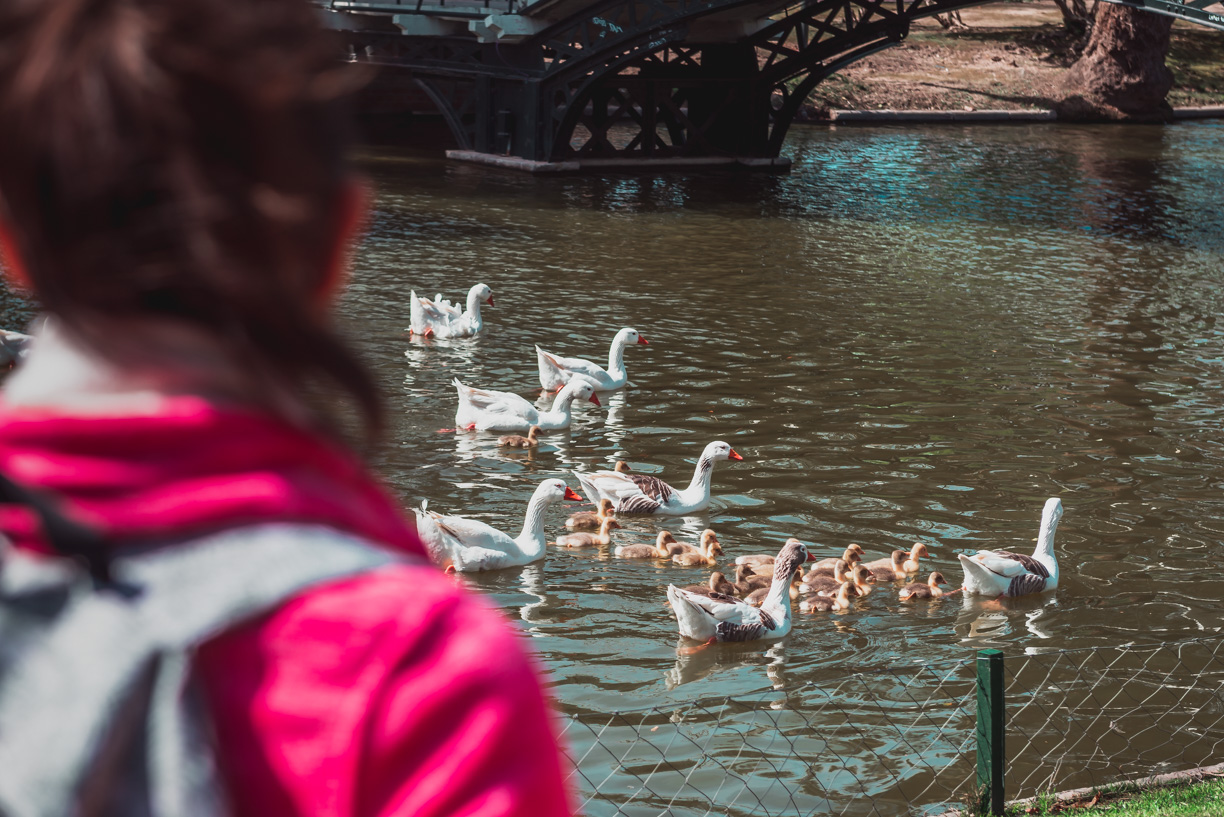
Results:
[174, 190]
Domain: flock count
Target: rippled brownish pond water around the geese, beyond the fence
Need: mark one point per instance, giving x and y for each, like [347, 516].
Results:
[919, 335]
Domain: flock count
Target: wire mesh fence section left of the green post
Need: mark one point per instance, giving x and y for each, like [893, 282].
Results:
[864, 744]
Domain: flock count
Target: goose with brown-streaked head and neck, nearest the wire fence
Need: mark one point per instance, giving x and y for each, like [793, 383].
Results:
[725, 618]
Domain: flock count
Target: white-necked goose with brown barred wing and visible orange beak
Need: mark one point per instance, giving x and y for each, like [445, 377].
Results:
[642, 494]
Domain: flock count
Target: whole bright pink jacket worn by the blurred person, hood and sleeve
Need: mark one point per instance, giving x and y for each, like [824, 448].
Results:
[396, 693]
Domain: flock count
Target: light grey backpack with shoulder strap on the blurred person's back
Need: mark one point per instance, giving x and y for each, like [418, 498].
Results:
[97, 717]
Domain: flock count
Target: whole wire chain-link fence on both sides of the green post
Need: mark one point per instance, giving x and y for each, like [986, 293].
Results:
[904, 740]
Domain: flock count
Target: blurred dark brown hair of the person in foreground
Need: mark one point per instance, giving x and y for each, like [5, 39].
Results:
[184, 160]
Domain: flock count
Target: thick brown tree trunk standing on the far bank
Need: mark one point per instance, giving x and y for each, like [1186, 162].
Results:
[1122, 74]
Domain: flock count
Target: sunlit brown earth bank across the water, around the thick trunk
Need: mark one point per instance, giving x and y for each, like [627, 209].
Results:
[1013, 57]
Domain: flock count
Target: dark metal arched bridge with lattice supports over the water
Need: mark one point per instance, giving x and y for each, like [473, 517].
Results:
[567, 84]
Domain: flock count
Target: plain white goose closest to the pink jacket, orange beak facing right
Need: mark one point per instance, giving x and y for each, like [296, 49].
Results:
[463, 546]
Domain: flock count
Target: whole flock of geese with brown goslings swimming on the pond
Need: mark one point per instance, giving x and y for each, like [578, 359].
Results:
[758, 603]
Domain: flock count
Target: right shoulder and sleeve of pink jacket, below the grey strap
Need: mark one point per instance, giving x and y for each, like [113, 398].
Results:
[394, 694]
